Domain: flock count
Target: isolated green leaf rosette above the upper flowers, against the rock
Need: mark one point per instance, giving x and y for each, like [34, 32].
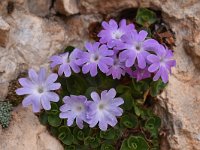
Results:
[145, 17]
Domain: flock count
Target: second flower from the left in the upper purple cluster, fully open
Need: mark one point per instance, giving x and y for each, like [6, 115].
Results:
[96, 56]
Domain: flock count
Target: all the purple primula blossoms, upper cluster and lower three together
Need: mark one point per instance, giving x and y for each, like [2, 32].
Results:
[121, 50]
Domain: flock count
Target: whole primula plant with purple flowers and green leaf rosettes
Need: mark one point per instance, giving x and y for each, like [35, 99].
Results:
[97, 97]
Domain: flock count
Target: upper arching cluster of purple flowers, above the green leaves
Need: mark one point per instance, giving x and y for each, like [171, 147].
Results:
[120, 50]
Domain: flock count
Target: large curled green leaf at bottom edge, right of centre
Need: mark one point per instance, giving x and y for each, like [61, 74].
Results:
[137, 143]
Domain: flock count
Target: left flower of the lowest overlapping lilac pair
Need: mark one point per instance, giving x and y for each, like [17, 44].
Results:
[74, 108]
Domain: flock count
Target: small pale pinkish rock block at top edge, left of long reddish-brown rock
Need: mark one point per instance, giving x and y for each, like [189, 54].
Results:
[67, 7]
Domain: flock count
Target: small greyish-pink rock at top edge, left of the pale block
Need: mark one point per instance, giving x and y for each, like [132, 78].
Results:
[39, 7]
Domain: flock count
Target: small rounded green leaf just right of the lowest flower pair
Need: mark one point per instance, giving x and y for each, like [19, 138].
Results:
[129, 121]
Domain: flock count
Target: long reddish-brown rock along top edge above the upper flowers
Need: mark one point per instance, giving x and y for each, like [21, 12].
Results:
[105, 6]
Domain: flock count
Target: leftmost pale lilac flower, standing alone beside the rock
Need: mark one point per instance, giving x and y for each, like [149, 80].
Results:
[38, 90]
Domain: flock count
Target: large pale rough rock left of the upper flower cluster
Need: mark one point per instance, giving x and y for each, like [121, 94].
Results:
[32, 41]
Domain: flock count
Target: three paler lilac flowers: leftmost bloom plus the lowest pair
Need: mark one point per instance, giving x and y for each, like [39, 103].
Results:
[102, 110]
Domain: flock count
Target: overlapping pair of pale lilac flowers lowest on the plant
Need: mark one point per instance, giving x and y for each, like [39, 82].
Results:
[102, 110]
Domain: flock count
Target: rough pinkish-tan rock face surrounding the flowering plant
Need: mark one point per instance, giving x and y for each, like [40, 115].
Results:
[32, 35]
